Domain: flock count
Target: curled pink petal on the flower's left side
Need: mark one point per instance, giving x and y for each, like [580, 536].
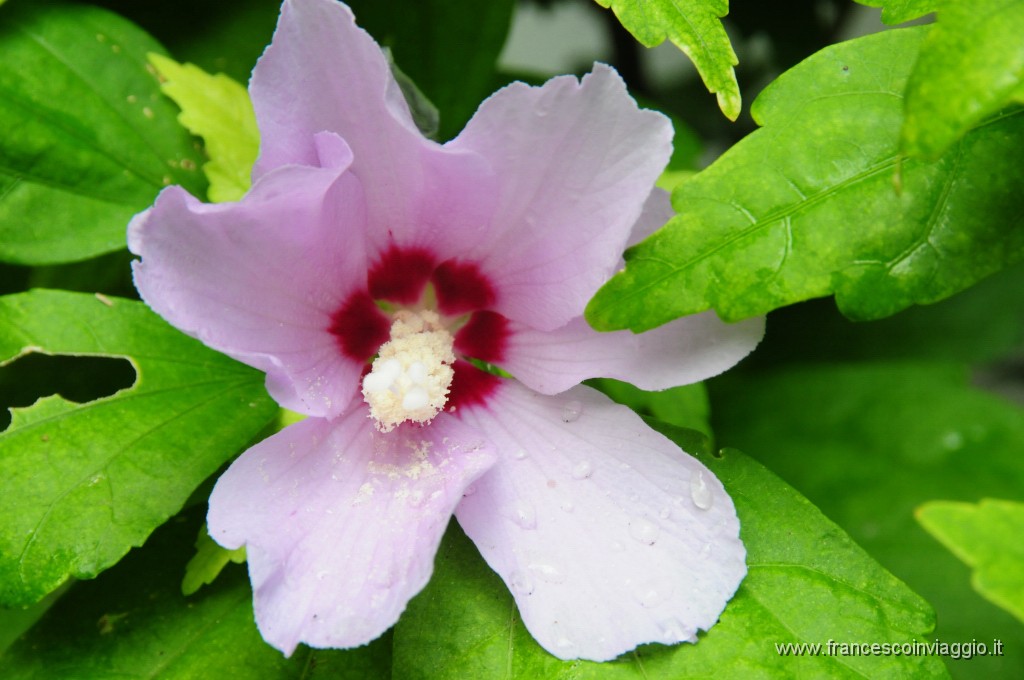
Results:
[260, 280]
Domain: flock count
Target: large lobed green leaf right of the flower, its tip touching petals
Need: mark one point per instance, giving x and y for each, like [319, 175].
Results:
[820, 202]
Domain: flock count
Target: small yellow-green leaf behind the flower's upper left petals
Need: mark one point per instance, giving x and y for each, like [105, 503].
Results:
[219, 110]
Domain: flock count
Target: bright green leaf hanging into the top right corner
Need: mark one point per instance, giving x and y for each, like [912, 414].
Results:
[970, 67]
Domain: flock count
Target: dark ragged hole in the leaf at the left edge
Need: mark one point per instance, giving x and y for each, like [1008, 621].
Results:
[79, 379]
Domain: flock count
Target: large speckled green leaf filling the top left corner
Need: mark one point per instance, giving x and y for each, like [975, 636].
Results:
[89, 140]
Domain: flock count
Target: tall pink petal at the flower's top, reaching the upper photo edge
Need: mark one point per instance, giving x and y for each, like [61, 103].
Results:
[324, 73]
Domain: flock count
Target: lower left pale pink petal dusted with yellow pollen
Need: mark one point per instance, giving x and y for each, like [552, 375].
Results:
[342, 523]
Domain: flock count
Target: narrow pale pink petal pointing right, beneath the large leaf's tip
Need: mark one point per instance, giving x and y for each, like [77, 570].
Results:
[684, 352]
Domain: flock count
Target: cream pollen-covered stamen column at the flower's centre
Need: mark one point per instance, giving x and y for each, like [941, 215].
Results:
[411, 377]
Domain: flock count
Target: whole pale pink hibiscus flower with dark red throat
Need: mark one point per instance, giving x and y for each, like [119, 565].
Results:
[377, 277]
